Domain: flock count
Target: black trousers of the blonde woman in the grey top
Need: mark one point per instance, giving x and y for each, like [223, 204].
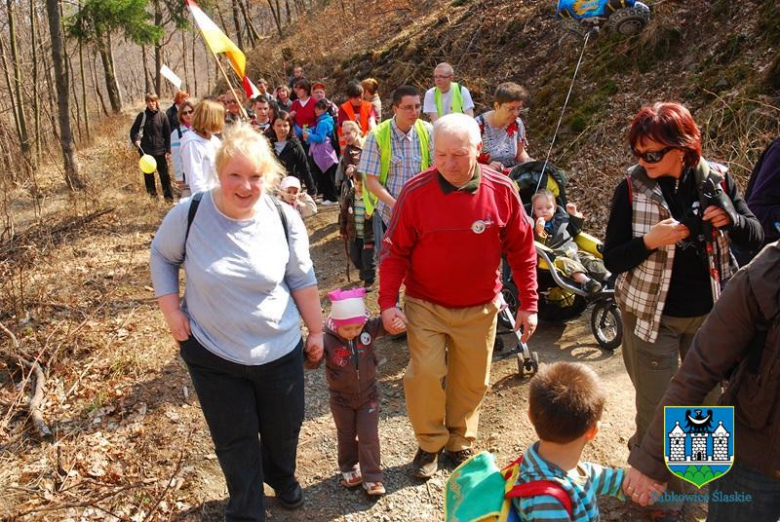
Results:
[241, 403]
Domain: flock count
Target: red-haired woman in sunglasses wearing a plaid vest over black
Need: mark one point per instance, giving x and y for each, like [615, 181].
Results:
[655, 243]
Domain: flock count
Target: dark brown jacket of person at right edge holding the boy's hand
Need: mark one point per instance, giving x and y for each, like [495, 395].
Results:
[723, 340]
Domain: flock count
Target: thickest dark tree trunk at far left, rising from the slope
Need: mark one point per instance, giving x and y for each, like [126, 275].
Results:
[63, 100]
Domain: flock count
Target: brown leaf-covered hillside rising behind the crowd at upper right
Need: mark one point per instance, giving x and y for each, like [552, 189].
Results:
[720, 58]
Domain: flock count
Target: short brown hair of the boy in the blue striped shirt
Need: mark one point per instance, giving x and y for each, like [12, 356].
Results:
[565, 401]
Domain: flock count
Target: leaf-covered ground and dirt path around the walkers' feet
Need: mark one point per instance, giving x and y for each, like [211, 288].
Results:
[130, 441]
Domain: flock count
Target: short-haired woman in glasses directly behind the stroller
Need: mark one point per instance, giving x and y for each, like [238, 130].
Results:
[503, 132]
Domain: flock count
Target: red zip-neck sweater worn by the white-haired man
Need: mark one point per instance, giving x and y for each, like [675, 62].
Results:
[446, 247]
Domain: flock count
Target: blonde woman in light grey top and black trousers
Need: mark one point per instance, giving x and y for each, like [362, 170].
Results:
[250, 280]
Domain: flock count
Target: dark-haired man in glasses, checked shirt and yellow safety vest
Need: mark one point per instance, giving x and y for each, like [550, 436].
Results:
[394, 151]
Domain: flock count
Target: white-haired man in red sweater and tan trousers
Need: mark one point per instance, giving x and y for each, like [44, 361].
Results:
[449, 227]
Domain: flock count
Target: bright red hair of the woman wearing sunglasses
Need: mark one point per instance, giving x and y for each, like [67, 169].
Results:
[669, 124]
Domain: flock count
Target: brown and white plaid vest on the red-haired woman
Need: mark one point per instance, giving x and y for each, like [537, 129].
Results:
[642, 291]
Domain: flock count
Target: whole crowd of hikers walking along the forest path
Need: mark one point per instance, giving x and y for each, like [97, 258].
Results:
[430, 206]
